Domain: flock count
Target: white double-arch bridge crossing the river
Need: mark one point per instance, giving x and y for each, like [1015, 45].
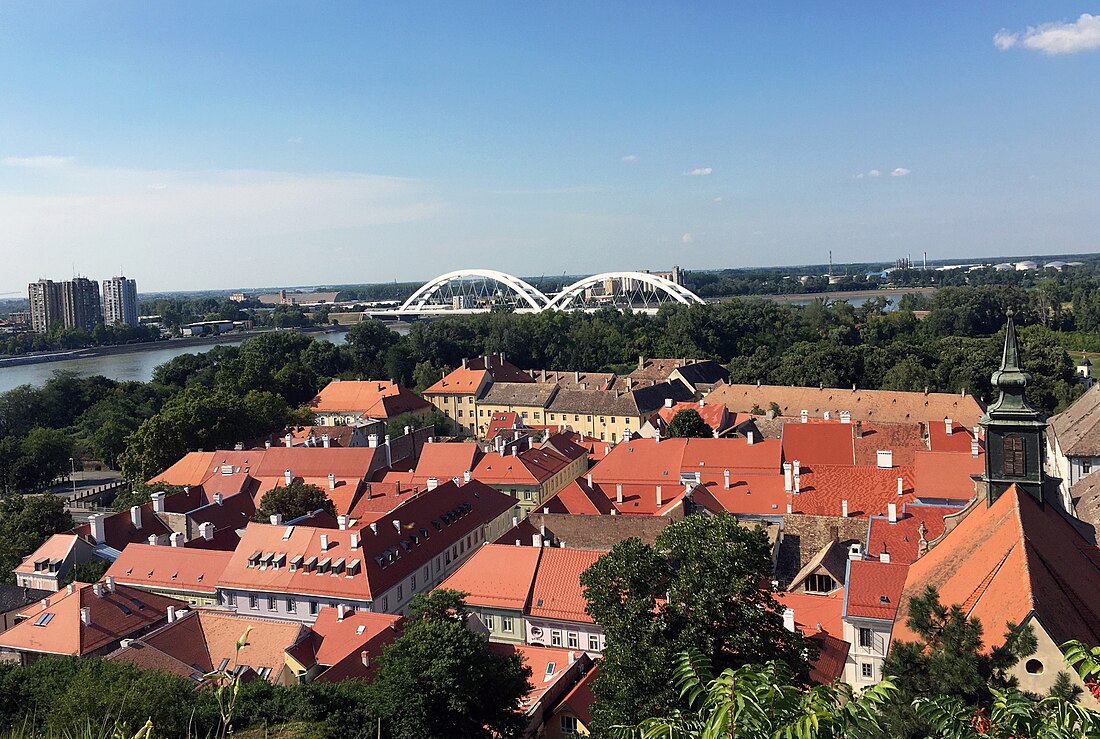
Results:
[481, 291]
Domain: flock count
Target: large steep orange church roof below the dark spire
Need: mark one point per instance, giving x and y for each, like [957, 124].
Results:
[1010, 559]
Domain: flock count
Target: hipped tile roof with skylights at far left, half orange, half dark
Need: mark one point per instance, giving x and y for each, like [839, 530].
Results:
[115, 615]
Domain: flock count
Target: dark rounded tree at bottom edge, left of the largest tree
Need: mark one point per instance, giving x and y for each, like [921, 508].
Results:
[443, 680]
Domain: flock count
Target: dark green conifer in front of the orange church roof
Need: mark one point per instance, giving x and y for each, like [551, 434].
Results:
[950, 660]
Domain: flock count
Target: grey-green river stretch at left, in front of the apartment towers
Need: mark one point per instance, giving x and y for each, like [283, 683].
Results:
[135, 366]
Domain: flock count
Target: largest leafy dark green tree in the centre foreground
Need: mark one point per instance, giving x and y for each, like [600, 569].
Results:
[699, 588]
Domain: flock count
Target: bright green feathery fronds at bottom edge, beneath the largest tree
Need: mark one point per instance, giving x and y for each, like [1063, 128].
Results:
[761, 701]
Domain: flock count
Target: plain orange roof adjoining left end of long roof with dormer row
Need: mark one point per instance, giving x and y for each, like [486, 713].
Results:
[170, 568]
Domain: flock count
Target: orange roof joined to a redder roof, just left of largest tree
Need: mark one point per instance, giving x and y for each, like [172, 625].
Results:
[498, 577]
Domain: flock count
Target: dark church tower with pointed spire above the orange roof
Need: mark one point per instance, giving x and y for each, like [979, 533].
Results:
[1015, 444]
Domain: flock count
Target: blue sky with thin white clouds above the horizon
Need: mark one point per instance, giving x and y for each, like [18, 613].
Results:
[211, 145]
